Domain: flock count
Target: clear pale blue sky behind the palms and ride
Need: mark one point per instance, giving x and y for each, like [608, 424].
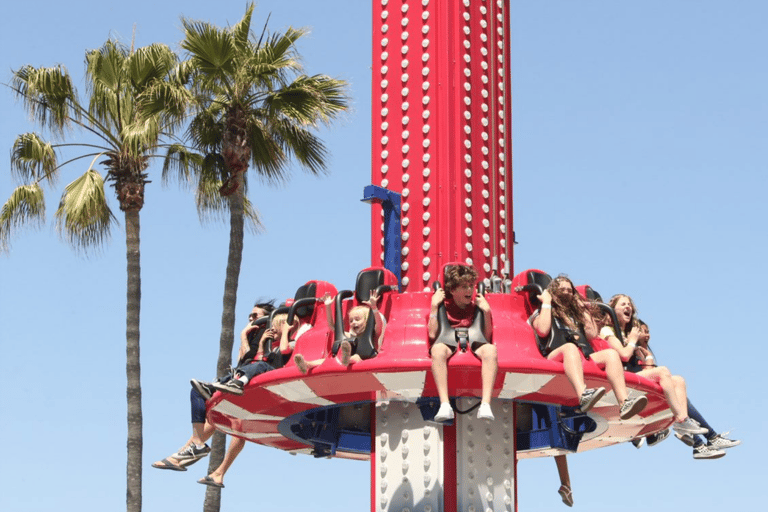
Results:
[639, 141]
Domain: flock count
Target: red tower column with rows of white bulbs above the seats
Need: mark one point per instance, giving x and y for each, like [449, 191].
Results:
[441, 133]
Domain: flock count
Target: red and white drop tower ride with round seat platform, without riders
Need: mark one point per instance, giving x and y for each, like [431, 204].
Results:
[441, 193]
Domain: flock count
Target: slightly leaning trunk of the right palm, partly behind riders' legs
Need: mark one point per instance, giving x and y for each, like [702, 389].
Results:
[234, 259]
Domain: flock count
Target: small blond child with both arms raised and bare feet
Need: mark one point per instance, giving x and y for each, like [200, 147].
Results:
[358, 320]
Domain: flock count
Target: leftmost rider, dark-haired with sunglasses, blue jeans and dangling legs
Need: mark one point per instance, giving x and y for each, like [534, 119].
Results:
[196, 448]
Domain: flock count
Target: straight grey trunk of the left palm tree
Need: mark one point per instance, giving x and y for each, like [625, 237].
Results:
[133, 364]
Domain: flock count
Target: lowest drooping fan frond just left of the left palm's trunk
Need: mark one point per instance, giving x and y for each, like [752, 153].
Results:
[83, 218]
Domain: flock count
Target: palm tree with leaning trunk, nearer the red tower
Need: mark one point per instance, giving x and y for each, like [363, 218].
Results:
[254, 109]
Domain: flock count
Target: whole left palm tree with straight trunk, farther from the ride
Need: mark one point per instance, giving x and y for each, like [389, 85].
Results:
[121, 84]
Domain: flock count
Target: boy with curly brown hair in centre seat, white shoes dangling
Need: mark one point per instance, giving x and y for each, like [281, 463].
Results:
[460, 309]
